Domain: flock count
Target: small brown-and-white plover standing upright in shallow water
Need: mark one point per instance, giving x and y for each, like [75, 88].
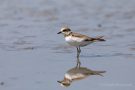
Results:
[78, 40]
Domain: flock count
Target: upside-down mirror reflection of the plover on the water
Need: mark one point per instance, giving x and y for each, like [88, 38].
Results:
[78, 73]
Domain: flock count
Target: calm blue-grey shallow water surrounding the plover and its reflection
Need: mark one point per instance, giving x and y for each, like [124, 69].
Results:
[33, 56]
